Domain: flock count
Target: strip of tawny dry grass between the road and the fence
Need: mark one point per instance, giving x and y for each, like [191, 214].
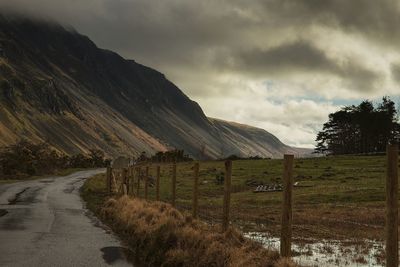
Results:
[163, 236]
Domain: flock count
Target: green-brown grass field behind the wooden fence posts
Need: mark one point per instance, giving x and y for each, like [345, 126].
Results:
[344, 200]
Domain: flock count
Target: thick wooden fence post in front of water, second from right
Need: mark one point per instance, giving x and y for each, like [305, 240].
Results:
[286, 227]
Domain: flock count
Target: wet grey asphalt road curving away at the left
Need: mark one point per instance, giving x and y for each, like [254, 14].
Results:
[44, 223]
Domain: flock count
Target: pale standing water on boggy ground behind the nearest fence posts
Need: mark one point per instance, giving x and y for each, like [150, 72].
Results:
[328, 252]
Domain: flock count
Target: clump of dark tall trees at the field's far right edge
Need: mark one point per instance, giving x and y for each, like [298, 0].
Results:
[360, 129]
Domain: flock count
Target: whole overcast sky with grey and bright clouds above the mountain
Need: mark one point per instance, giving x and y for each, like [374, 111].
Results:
[282, 65]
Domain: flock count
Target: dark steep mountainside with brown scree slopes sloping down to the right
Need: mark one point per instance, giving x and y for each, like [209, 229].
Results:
[57, 86]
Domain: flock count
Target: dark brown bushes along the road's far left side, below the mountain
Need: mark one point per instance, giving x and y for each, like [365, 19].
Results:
[26, 158]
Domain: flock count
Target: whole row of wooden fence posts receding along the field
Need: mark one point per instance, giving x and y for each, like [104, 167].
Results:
[136, 173]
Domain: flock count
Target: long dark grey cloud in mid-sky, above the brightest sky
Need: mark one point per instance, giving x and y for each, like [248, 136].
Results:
[302, 57]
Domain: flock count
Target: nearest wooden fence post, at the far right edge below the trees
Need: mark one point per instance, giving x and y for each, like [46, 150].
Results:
[392, 183]
